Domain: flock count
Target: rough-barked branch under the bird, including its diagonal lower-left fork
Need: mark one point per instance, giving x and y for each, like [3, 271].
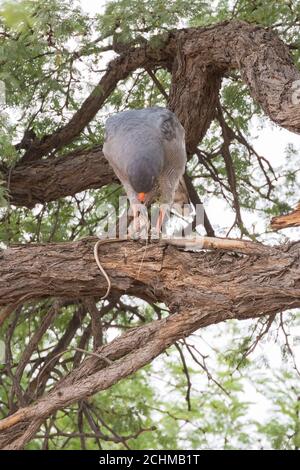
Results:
[199, 288]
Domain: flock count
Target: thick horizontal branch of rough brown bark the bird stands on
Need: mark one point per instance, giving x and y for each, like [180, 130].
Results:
[175, 277]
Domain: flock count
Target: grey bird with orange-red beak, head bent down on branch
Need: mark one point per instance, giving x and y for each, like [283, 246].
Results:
[146, 150]
